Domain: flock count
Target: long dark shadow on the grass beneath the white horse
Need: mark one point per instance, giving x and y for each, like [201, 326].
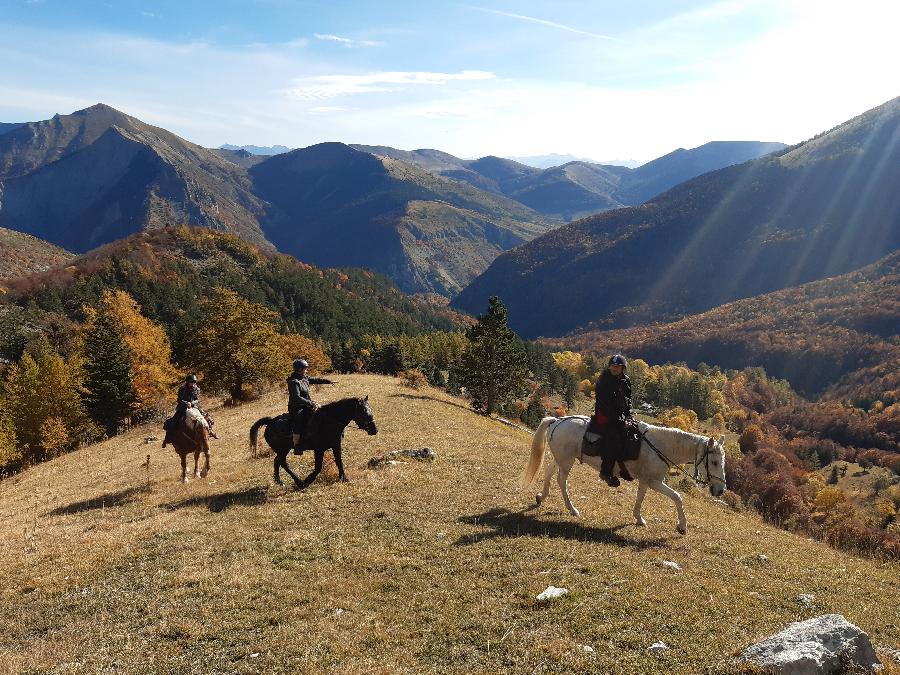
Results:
[506, 523]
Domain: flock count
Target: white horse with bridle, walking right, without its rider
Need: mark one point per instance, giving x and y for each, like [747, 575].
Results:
[673, 447]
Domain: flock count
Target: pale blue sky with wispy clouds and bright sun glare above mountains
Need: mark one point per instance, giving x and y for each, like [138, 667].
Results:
[605, 79]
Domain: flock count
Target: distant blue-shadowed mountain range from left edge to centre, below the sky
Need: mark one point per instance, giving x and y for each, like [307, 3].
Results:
[429, 220]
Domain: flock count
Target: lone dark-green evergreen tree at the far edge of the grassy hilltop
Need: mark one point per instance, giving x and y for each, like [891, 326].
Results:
[493, 368]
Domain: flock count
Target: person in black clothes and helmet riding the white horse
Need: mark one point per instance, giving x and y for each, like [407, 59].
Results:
[612, 408]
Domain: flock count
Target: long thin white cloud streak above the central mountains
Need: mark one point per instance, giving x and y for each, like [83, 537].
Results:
[330, 86]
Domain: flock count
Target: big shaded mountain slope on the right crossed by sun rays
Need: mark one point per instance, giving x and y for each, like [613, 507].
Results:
[811, 211]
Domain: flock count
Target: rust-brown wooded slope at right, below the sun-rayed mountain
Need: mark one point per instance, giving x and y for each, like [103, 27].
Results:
[813, 335]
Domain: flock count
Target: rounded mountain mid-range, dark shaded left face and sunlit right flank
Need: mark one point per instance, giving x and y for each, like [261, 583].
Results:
[332, 205]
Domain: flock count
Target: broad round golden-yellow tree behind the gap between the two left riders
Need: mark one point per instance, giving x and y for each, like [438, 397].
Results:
[236, 344]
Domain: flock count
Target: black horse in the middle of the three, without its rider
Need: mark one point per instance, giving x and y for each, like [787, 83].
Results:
[326, 433]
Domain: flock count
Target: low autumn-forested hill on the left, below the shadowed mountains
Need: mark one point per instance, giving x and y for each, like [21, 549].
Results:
[168, 272]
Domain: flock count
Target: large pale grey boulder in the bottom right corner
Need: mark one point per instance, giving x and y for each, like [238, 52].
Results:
[812, 647]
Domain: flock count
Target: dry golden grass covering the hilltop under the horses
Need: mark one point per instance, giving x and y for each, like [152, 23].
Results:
[415, 567]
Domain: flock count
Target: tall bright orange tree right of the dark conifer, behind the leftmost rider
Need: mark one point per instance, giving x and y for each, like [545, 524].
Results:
[149, 350]
